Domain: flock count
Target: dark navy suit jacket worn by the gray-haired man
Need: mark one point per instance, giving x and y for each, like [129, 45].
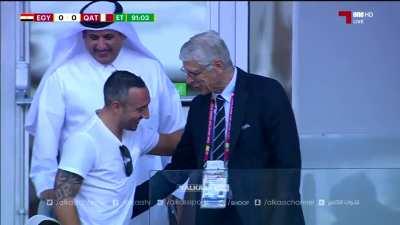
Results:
[264, 158]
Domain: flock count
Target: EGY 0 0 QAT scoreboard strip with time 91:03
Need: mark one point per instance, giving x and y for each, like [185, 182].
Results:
[87, 17]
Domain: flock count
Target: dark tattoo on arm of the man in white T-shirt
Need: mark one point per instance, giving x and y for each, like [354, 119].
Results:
[67, 185]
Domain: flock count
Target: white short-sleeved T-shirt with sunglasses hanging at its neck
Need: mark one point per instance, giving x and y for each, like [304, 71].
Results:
[106, 194]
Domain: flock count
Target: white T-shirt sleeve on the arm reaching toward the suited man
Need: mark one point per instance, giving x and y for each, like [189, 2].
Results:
[147, 137]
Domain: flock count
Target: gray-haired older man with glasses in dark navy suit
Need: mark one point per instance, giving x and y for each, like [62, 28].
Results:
[244, 121]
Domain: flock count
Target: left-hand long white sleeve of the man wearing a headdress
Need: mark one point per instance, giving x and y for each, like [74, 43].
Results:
[50, 119]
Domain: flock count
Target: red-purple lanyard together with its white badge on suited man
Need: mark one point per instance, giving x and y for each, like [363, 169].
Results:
[215, 185]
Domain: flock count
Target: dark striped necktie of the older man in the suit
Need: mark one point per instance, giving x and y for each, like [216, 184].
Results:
[219, 130]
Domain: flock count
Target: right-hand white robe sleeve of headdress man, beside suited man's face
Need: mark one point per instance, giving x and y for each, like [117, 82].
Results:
[172, 117]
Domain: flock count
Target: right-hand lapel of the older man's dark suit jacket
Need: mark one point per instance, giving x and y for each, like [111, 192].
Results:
[239, 108]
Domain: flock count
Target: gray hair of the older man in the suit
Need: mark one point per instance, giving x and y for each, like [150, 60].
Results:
[204, 48]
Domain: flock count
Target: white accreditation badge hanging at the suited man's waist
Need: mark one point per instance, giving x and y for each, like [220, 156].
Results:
[215, 185]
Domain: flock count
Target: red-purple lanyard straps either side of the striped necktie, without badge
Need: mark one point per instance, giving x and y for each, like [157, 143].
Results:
[210, 126]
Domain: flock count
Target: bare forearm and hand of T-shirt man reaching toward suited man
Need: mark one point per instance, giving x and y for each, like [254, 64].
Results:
[167, 144]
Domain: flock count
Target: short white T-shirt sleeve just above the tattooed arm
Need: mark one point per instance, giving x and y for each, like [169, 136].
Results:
[78, 154]
